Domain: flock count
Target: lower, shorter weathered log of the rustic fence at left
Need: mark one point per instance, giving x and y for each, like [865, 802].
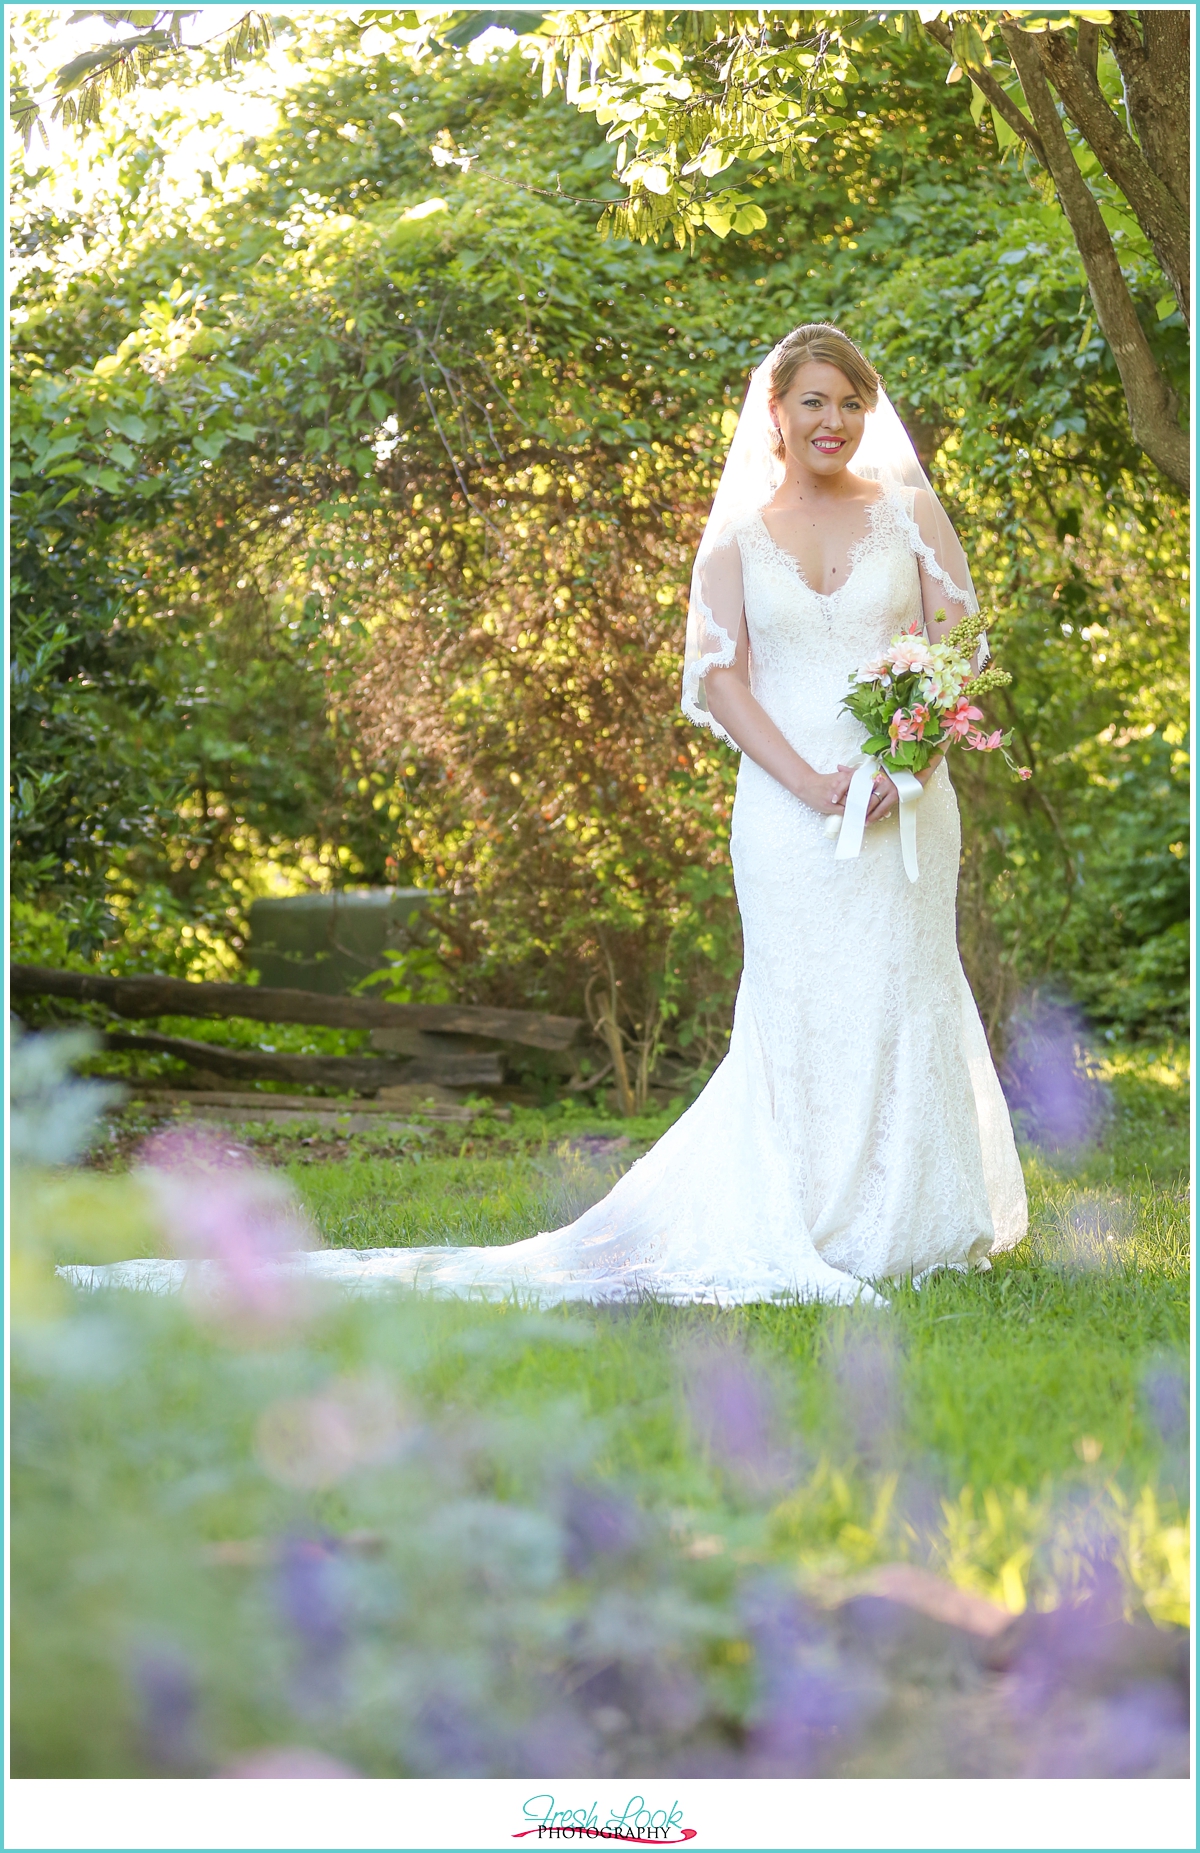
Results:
[345, 1072]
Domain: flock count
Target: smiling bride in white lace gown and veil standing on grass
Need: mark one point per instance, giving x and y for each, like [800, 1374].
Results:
[856, 1129]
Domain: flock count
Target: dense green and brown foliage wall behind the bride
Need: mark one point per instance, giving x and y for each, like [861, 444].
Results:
[414, 609]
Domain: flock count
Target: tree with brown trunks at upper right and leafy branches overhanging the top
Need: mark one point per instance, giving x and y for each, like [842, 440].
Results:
[690, 95]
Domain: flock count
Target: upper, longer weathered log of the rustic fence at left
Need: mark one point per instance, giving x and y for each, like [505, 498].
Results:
[179, 998]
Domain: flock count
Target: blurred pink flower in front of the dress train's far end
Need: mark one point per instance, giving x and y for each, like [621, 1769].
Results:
[221, 1211]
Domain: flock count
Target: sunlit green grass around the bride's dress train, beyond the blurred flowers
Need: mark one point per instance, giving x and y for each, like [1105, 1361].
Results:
[1023, 1383]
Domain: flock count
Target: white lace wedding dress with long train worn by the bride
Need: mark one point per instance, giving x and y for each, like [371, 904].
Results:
[856, 1129]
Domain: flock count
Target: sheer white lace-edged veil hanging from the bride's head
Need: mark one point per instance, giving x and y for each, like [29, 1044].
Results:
[747, 485]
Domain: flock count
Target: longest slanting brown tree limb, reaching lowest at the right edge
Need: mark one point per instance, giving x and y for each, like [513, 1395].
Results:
[1155, 410]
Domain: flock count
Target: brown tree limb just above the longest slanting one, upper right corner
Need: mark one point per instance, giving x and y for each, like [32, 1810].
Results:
[1158, 212]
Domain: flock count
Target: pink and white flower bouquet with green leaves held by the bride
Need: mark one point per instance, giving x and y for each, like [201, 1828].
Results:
[919, 700]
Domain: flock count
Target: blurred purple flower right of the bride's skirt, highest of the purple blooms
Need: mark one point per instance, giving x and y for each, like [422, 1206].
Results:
[1045, 1081]
